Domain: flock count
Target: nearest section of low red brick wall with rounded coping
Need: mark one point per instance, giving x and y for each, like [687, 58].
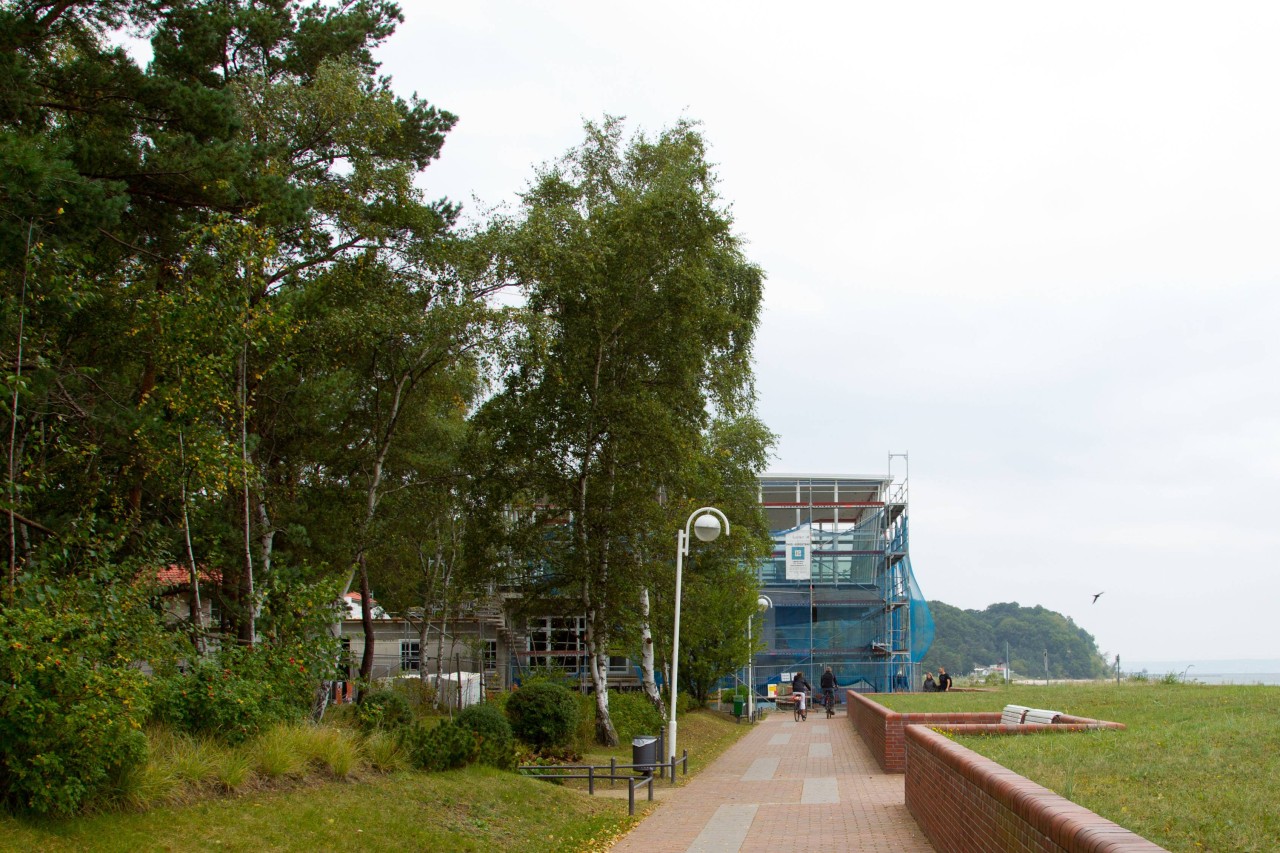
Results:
[967, 804]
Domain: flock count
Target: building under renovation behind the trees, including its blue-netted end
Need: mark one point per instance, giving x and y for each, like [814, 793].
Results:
[839, 583]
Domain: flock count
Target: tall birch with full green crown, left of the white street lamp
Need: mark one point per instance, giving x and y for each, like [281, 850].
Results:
[642, 312]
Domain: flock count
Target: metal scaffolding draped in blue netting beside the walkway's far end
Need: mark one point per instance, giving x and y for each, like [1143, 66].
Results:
[852, 601]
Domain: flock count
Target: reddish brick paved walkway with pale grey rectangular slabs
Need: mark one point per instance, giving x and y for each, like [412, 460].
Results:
[811, 783]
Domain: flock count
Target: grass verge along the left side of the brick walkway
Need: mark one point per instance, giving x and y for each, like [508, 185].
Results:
[470, 810]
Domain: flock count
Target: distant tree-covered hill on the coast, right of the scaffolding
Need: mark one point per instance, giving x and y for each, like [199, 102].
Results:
[970, 638]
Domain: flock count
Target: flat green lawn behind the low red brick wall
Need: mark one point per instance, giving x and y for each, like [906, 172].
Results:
[1197, 769]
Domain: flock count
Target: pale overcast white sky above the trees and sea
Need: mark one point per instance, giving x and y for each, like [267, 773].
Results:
[1034, 247]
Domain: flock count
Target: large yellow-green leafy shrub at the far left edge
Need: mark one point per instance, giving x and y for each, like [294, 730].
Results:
[72, 701]
